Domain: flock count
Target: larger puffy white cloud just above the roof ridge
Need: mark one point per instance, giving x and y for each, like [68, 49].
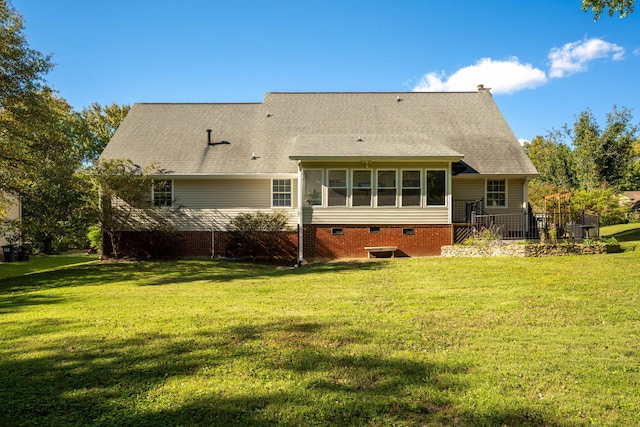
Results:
[503, 77]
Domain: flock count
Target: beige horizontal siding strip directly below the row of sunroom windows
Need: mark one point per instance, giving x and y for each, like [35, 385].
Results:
[431, 215]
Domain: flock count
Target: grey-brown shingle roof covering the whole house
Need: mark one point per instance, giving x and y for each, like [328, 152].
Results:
[267, 137]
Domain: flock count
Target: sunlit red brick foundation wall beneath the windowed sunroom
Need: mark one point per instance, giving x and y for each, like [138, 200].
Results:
[319, 242]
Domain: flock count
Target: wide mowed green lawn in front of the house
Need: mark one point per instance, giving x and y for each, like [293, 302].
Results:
[433, 341]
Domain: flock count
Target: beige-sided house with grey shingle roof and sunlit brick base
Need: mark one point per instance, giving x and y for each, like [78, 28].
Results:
[352, 170]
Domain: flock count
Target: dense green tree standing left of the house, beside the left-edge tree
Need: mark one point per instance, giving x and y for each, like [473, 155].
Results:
[52, 192]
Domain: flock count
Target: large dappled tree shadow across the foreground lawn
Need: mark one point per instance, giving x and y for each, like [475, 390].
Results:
[324, 381]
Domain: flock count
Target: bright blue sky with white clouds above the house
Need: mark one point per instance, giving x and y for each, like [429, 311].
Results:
[546, 61]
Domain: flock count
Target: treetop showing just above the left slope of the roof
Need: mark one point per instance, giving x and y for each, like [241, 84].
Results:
[100, 124]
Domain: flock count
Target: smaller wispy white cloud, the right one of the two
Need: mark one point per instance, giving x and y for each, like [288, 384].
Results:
[573, 57]
